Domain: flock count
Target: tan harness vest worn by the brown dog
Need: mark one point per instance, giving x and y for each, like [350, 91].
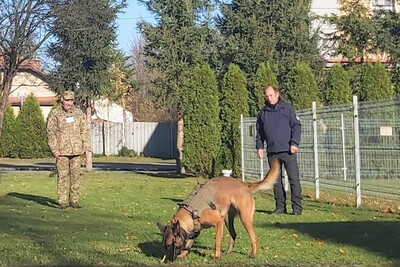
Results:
[198, 200]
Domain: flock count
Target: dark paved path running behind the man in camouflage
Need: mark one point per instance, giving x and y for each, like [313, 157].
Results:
[98, 166]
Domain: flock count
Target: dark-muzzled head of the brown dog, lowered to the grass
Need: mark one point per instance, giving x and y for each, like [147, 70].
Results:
[173, 239]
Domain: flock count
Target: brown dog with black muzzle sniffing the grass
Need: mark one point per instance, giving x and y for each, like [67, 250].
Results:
[227, 197]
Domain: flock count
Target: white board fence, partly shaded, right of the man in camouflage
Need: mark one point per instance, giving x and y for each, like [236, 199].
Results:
[149, 139]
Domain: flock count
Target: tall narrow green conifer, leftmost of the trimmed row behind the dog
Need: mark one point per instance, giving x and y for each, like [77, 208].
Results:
[202, 125]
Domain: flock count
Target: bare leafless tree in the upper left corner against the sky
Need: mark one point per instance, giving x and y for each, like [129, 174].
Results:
[24, 28]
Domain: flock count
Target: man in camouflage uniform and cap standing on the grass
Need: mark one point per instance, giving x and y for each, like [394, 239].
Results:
[69, 138]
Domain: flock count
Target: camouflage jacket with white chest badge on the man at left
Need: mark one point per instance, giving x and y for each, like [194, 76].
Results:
[68, 131]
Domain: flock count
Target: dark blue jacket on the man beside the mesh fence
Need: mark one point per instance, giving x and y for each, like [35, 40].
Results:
[279, 127]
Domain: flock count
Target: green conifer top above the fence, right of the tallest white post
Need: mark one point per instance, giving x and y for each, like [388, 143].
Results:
[375, 83]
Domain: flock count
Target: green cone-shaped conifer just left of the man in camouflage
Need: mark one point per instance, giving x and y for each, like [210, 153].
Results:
[32, 130]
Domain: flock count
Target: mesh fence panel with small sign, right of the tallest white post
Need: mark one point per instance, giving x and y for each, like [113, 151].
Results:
[380, 147]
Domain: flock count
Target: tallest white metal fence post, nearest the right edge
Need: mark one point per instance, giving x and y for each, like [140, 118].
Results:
[357, 151]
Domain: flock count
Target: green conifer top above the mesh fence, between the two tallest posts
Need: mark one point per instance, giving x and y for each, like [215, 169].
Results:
[337, 86]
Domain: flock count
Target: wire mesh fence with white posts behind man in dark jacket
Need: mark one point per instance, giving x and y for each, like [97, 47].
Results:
[348, 147]
